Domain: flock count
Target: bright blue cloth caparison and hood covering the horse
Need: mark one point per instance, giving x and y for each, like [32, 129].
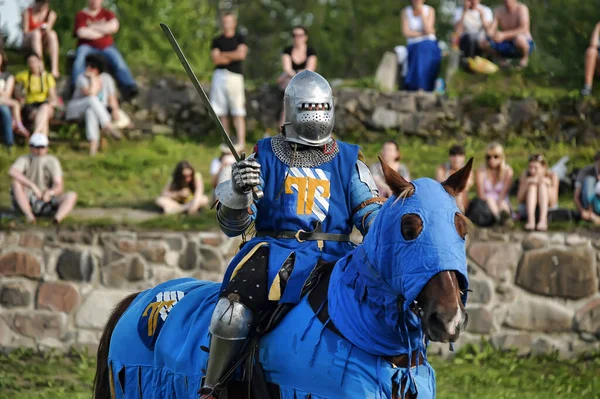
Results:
[156, 346]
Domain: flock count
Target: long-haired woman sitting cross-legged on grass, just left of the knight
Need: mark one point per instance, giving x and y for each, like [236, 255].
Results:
[184, 192]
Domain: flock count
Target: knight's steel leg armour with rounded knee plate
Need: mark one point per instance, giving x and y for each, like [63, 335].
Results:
[230, 325]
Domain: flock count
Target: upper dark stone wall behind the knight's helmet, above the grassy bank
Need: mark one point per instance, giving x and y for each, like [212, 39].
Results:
[167, 105]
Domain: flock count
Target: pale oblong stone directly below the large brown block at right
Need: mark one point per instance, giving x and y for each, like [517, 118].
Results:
[539, 315]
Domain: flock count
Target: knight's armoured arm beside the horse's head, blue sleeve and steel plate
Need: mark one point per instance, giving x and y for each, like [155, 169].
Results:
[364, 197]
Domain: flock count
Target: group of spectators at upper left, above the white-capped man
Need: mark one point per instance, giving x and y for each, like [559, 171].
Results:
[28, 100]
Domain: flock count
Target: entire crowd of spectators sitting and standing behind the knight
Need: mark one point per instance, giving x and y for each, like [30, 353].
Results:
[503, 33]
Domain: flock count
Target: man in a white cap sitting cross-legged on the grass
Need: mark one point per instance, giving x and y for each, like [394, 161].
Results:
[37, 183]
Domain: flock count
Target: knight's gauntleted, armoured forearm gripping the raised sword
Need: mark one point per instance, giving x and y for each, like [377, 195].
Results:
[236, 209]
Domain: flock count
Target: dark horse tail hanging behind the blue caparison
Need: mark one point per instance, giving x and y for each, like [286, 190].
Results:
[102, 389]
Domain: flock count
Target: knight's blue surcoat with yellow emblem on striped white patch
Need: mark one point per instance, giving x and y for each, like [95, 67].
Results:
[297, 198]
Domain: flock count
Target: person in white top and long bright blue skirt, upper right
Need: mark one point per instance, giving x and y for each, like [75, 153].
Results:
[424, 55]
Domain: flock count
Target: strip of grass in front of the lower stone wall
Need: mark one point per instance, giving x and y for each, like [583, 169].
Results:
[474, 373]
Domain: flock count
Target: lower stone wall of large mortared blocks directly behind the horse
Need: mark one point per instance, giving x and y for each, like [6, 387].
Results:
[536, 292]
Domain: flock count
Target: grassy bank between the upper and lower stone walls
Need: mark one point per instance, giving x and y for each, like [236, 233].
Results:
[132, 173]
